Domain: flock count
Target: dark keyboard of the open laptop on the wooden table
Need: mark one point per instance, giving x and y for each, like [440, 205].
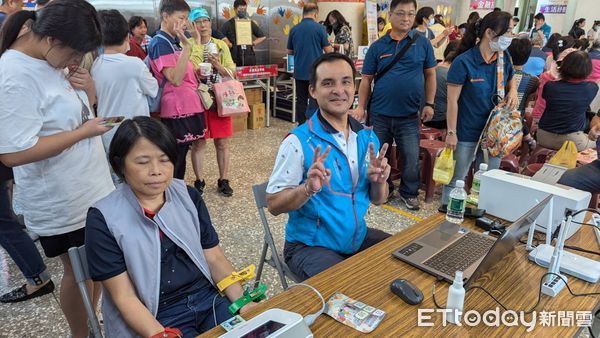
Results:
[461, 254]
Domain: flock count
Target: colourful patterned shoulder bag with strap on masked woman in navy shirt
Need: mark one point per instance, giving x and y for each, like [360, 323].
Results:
[503, 131]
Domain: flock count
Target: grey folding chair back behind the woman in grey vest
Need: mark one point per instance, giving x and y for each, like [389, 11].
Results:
[80, 270]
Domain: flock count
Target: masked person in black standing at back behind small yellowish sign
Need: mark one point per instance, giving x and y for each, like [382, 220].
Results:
[242, 55]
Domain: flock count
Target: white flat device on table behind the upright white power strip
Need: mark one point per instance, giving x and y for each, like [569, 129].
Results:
[571, 264]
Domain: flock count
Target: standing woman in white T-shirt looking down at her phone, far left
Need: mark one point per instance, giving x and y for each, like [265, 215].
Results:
[48, 134]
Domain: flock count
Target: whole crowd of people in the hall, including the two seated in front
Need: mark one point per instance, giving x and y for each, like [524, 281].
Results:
[78, 180]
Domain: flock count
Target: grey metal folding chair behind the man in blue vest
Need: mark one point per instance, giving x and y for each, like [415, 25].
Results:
[275, 260]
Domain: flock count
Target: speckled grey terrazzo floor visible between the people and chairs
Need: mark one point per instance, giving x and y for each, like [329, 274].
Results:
[236, 220]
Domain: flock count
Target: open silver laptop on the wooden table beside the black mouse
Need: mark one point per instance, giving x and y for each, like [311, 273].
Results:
[450, 248]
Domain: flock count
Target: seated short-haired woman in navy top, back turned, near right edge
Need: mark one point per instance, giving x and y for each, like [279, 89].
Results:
[567, 101]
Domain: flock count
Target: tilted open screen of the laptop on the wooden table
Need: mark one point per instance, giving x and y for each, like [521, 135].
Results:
[509, 239]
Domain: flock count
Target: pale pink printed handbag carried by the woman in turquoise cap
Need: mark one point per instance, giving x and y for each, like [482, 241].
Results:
[230, 97]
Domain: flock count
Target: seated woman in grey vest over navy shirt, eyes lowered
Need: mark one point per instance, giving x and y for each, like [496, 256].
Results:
[152, 244]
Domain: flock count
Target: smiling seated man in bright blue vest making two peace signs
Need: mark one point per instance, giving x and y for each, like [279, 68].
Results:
[326, 174]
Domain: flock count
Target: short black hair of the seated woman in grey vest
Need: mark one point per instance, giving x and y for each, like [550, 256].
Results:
[130, 131]
